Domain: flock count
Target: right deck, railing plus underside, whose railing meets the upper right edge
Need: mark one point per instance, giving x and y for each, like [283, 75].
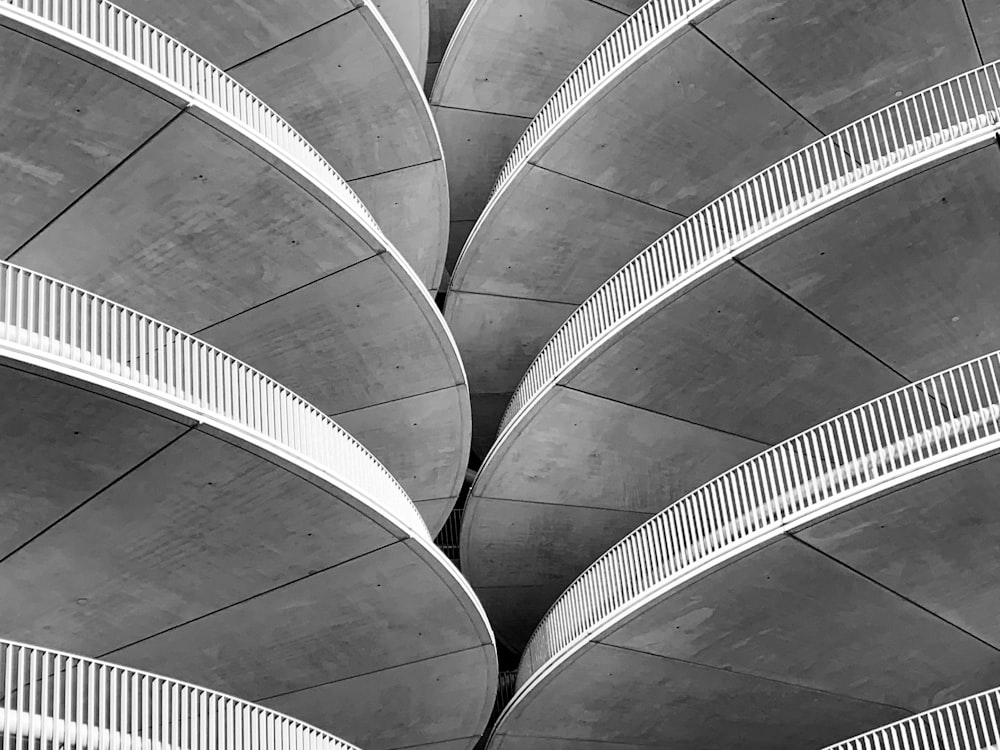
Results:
[865, 261]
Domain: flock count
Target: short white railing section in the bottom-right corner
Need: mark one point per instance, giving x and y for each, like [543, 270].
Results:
[969, 724]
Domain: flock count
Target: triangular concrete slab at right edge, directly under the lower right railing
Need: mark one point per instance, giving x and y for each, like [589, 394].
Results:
[933, 542]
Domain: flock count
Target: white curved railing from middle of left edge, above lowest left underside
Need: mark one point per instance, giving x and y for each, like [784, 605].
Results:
[60, 323]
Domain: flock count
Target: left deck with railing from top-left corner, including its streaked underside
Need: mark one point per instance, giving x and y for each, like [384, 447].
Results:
[134, 167]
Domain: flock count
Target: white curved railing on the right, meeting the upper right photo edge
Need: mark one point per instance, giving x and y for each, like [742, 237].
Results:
[926, 125]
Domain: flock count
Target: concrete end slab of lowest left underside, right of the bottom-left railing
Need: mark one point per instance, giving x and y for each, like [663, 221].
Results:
[408, 714]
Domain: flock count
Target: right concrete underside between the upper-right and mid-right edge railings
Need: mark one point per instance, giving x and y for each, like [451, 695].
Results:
[890, 287]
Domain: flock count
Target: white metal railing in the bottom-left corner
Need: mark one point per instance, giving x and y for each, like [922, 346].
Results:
[59, 700]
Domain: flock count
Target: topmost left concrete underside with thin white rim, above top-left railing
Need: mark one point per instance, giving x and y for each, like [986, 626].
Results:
[336, 72]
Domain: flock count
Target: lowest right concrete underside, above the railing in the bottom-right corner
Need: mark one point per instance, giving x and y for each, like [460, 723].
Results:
[884, 609]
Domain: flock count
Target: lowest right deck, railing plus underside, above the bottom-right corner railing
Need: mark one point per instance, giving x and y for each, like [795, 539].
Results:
[836, 582]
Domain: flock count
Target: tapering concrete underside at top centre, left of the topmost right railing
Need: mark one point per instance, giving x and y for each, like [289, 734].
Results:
[504, 61]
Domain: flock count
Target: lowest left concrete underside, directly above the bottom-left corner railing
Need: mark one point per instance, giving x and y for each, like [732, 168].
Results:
[168, 545]
